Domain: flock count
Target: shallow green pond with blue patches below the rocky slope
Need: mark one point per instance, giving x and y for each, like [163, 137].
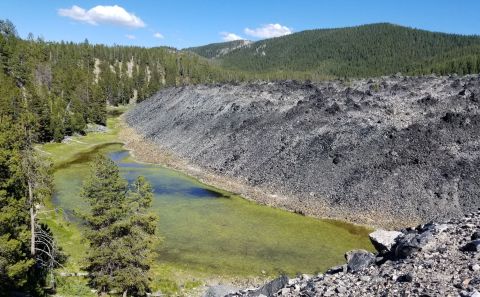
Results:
[211, 231]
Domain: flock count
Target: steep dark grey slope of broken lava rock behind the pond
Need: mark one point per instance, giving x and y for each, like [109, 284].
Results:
[389, 151]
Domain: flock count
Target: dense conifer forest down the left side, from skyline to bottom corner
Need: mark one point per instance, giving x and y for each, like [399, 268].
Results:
[49, 90]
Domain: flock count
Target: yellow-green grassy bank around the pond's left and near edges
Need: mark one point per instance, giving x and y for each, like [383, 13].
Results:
[168, 279]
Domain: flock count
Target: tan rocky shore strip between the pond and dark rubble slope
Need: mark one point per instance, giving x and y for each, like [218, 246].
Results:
[145, 150]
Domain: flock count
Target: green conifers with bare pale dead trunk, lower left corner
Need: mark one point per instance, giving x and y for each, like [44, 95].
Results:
[24, 184]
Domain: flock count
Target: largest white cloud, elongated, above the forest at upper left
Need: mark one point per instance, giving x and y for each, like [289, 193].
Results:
[100, 14]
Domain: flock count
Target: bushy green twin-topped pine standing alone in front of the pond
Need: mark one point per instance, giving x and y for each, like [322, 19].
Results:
[120, 230]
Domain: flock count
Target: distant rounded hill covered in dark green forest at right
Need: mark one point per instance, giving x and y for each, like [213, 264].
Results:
[368, 50]
